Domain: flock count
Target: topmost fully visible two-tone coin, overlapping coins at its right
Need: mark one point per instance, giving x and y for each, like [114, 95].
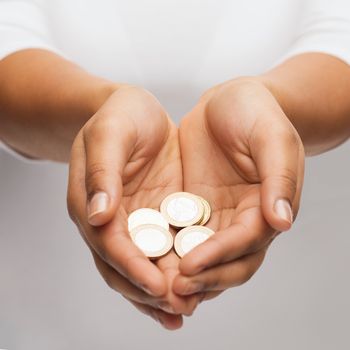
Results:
[182, 209]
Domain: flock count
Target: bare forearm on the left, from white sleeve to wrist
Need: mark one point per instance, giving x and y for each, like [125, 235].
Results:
[44, 101]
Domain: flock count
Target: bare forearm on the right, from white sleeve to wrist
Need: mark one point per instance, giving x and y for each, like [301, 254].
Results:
[314, 92]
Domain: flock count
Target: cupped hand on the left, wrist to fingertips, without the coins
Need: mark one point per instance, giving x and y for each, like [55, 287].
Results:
[127, 157]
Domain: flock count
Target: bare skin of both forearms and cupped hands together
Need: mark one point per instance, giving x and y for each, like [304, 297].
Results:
[60, 103]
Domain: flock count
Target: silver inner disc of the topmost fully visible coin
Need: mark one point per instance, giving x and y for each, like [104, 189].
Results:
[182, 209]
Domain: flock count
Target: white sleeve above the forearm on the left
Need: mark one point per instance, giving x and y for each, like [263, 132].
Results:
[23, 25]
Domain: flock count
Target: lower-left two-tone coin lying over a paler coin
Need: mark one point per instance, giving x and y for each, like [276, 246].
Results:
[153, 240]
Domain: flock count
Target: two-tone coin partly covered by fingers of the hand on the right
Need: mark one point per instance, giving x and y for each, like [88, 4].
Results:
[190, 237]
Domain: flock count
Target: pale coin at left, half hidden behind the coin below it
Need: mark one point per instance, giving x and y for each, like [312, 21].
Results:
[144, 216]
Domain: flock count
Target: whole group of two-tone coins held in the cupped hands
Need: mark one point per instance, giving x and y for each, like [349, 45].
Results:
[186, 212]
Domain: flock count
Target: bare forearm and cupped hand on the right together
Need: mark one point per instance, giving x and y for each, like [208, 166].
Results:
[255, 130]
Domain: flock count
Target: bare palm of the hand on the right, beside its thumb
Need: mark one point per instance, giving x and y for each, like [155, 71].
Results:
[229, 183]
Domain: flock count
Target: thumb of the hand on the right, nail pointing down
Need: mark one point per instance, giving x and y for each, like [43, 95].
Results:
[278, 153]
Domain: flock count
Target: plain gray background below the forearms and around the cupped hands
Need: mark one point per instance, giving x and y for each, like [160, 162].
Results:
[51, 296]
